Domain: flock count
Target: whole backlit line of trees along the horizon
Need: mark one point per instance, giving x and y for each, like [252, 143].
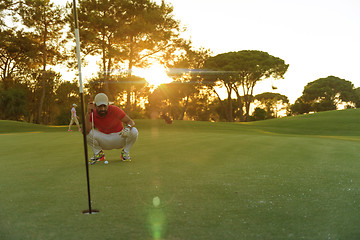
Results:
[127, 34]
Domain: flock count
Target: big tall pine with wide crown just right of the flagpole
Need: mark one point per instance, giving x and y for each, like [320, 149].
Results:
[126, 32]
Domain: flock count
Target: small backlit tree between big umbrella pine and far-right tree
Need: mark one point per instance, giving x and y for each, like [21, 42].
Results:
[272, 102]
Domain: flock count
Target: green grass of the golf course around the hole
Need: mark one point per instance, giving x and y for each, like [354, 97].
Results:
[290, 178]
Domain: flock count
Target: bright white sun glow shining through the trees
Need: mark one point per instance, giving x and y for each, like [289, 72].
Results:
[155, 75]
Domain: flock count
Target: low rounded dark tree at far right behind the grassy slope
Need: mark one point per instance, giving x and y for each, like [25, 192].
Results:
[327, 93]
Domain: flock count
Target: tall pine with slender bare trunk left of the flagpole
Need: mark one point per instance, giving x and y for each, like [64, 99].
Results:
[46, 22]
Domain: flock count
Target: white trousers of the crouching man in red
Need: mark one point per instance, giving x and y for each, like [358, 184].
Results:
[98, 140]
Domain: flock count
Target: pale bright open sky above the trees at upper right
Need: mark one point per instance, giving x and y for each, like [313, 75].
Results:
[318, 38]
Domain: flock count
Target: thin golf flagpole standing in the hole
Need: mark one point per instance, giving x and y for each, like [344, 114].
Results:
[77, 37]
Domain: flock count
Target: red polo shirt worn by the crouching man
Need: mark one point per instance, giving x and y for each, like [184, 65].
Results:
[111, 122]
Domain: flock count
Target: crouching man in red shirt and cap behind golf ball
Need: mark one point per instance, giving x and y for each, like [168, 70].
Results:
[110, 132]
